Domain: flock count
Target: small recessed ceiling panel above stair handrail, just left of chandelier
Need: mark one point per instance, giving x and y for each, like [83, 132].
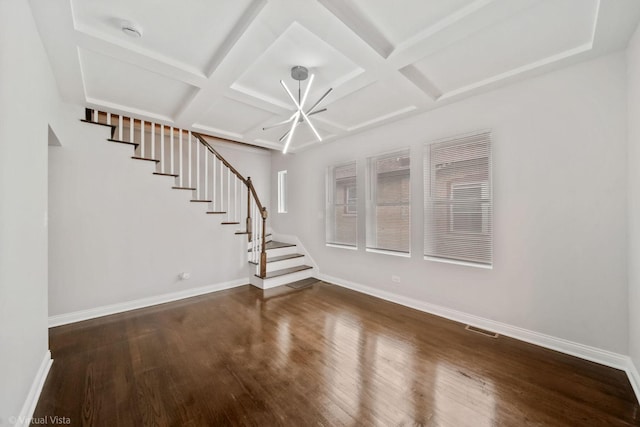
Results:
[233, 116]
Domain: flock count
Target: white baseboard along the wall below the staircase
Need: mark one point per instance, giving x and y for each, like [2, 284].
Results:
[78, 316]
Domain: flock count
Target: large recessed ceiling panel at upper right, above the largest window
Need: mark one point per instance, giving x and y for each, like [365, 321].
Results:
[548, 28]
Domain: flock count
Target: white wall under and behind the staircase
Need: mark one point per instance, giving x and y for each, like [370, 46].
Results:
[119, 233]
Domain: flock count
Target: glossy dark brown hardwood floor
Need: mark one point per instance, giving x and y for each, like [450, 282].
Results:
[320, 356]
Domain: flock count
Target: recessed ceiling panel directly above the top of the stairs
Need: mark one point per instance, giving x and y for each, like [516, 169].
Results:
[124, 84]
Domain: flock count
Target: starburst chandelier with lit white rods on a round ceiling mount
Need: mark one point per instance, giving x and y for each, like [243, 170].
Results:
[299, 73]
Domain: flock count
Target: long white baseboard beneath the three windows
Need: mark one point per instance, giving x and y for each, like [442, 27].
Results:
[582, 351]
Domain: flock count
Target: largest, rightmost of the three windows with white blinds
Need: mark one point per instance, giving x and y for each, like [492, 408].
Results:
[458, 202]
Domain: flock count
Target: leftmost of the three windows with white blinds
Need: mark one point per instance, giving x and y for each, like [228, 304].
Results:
[342, 205]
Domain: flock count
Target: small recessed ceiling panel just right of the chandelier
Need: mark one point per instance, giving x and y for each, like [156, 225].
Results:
[368, 105]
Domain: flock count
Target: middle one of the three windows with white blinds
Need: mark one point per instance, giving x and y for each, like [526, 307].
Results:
[388, 204]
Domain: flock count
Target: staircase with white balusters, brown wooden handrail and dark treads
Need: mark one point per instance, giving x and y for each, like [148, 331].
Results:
[196, 166]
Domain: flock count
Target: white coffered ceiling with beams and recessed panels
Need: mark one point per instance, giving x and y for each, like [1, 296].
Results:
[214, 65]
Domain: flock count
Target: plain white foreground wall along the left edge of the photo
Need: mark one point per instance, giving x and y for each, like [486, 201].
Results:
[27, 96]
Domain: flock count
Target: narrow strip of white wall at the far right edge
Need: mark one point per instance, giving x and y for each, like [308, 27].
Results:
[633, 73]
